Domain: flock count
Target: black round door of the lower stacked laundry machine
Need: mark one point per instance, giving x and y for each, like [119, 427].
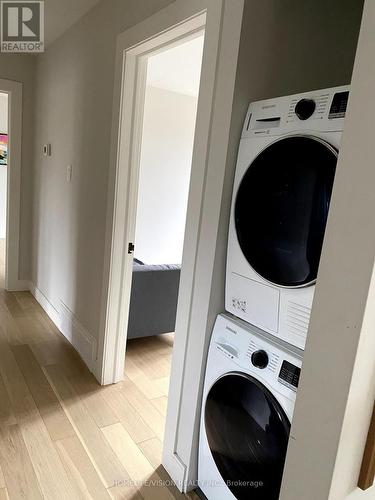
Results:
[247, 432]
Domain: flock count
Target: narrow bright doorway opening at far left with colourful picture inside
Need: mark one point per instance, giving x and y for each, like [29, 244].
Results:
[3, 183]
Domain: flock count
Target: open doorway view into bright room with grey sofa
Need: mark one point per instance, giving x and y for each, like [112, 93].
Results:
[164, 169]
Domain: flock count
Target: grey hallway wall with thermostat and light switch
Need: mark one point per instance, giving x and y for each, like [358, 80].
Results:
[74, 86]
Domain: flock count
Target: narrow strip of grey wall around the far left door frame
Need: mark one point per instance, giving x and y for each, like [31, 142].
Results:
[21, 69]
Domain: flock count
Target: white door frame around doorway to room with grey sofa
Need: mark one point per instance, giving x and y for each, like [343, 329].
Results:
[195, 313]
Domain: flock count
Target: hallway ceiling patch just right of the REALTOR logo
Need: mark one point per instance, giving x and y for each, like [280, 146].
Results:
[62, 14]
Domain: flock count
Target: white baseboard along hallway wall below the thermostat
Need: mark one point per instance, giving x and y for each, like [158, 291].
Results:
[65, 320]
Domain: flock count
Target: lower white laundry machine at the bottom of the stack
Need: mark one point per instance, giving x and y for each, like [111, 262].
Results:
[248, 402]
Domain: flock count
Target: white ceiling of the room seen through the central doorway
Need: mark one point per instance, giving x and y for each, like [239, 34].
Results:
[177, 69]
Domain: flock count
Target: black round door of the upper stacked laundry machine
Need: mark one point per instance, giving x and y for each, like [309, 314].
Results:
[282, 206]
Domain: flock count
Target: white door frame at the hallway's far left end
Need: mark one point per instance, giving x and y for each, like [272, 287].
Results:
[14, 91]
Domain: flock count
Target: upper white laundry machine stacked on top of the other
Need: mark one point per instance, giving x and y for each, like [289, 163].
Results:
[283, 183]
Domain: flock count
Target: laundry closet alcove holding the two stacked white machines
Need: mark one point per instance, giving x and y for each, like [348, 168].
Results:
[295, 67]
